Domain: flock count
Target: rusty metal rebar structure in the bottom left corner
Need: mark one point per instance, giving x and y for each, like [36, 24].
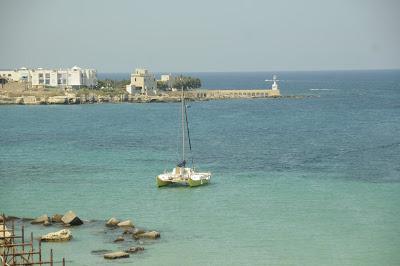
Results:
[15, 250]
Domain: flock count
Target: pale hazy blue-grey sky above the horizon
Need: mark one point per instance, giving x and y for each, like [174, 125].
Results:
[202, 35]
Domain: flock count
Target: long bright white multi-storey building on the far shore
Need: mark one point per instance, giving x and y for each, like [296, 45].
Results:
[75, 77]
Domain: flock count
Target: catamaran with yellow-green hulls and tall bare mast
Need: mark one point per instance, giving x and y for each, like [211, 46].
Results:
[181, 174]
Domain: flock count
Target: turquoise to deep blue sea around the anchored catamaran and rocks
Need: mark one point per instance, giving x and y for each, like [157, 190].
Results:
[311, 180]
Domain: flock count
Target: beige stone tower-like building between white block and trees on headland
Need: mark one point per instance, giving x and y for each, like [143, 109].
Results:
[143, 82]
